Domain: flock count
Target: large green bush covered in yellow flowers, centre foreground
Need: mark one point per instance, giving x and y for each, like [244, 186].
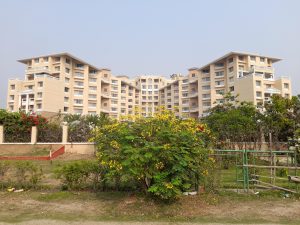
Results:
[165, 155]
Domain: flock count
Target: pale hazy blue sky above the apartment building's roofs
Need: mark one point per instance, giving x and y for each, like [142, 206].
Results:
[134, 37]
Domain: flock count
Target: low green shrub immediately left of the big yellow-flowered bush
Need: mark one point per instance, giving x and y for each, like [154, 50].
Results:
[79, 174]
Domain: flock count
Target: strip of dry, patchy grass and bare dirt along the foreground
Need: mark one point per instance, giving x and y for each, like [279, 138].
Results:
[224, 207]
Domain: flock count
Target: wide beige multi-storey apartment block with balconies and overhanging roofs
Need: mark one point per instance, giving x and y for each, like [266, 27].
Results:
[62, 83]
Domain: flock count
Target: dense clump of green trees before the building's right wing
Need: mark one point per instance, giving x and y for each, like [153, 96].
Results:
[235, 121]
